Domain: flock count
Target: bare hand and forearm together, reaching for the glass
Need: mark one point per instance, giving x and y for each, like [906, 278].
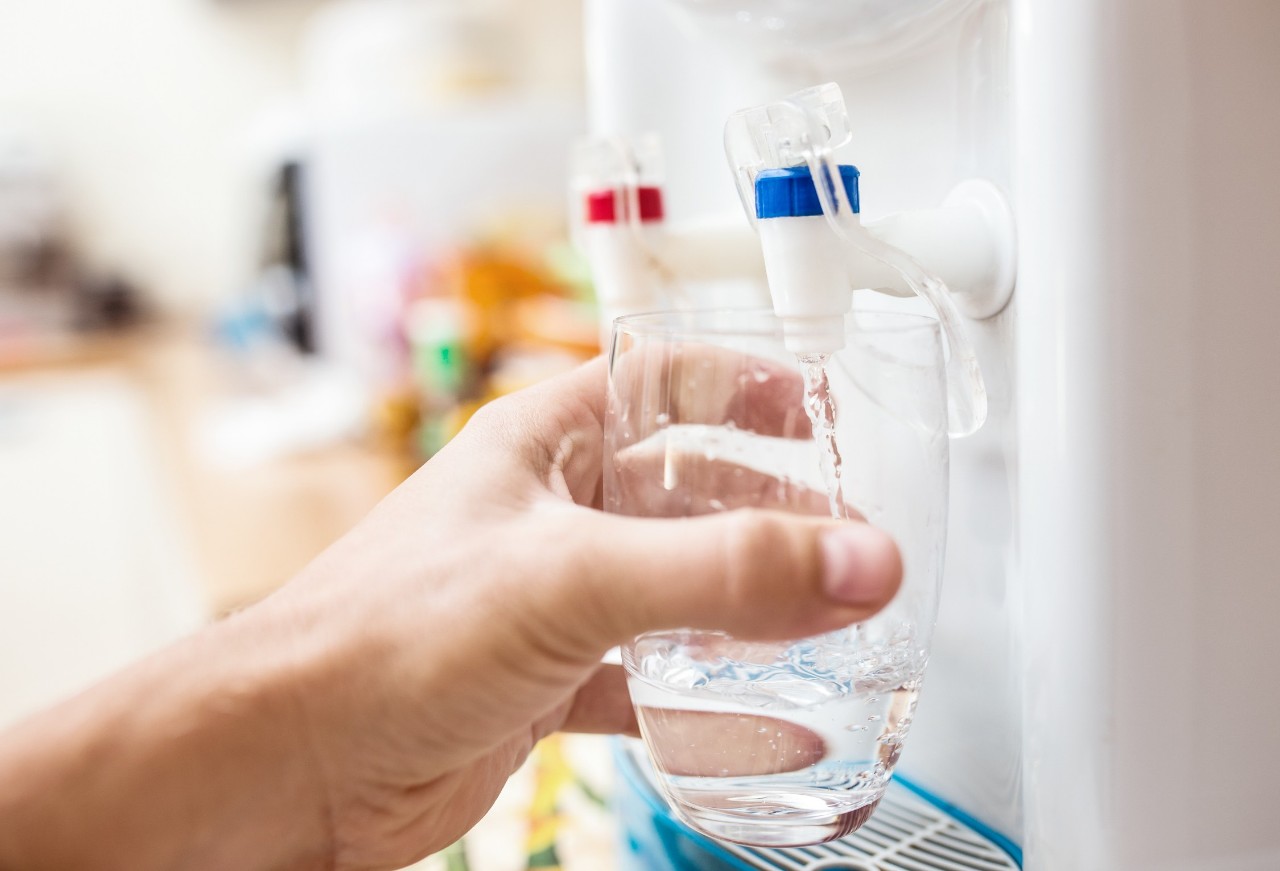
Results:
[371, 712]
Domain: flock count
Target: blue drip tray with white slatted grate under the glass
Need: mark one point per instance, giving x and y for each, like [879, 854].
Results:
[907, 833]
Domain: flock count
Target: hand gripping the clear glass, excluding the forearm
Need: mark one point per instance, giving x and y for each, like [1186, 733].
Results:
[479, 599]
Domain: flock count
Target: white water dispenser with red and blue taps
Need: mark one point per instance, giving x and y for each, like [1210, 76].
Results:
[1095, 186]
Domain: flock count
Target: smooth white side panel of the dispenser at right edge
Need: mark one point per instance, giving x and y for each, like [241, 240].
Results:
[1148, 190]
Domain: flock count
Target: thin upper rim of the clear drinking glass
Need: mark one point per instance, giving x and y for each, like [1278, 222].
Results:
[762, 323]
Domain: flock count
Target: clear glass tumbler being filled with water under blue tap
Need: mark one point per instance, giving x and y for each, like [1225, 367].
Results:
[781, 744]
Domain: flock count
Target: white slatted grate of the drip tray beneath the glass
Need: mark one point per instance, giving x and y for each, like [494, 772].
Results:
[904, 834]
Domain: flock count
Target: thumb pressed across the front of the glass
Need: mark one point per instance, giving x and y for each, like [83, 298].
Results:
[756, 574]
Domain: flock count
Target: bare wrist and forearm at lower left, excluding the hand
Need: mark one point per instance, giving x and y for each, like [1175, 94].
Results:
[195, 758]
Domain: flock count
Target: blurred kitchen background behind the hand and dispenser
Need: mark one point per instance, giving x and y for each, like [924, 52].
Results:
[258, 261]
